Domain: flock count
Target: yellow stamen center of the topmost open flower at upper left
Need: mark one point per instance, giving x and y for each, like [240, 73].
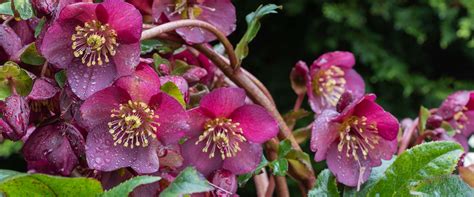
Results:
[94, 42]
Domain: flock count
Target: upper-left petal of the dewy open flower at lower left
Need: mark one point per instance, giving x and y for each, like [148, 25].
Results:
[97, 108]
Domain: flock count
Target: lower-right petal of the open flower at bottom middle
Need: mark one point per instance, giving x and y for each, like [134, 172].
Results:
[246, 160]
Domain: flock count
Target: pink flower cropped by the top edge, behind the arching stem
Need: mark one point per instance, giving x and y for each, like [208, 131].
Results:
[220, 13]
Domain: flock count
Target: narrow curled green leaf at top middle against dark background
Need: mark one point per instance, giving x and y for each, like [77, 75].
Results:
[253, 22]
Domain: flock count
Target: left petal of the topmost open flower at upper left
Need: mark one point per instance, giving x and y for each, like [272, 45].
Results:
[56, 44]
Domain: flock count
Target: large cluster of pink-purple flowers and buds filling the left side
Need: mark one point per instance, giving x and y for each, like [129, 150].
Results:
[112, 120]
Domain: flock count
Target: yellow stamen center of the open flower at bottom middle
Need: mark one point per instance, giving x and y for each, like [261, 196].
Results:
[221, 134]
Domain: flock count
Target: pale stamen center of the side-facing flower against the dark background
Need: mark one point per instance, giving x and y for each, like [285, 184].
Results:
[330, 84]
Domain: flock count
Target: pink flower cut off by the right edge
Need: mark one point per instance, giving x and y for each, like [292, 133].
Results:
[458, 110]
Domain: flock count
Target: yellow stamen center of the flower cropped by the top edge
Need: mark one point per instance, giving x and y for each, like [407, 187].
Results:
[189, 9]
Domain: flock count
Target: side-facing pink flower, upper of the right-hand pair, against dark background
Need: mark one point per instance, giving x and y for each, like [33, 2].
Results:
[329, 77]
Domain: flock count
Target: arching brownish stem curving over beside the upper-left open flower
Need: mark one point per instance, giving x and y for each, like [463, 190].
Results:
[170, 26]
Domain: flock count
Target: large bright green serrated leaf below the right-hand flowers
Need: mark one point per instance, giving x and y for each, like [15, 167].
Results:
[417, 164]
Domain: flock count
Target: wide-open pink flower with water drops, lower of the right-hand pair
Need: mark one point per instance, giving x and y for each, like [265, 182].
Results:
[354, 139]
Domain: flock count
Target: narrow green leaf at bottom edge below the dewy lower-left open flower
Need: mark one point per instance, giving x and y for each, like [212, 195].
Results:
[126, 187]
